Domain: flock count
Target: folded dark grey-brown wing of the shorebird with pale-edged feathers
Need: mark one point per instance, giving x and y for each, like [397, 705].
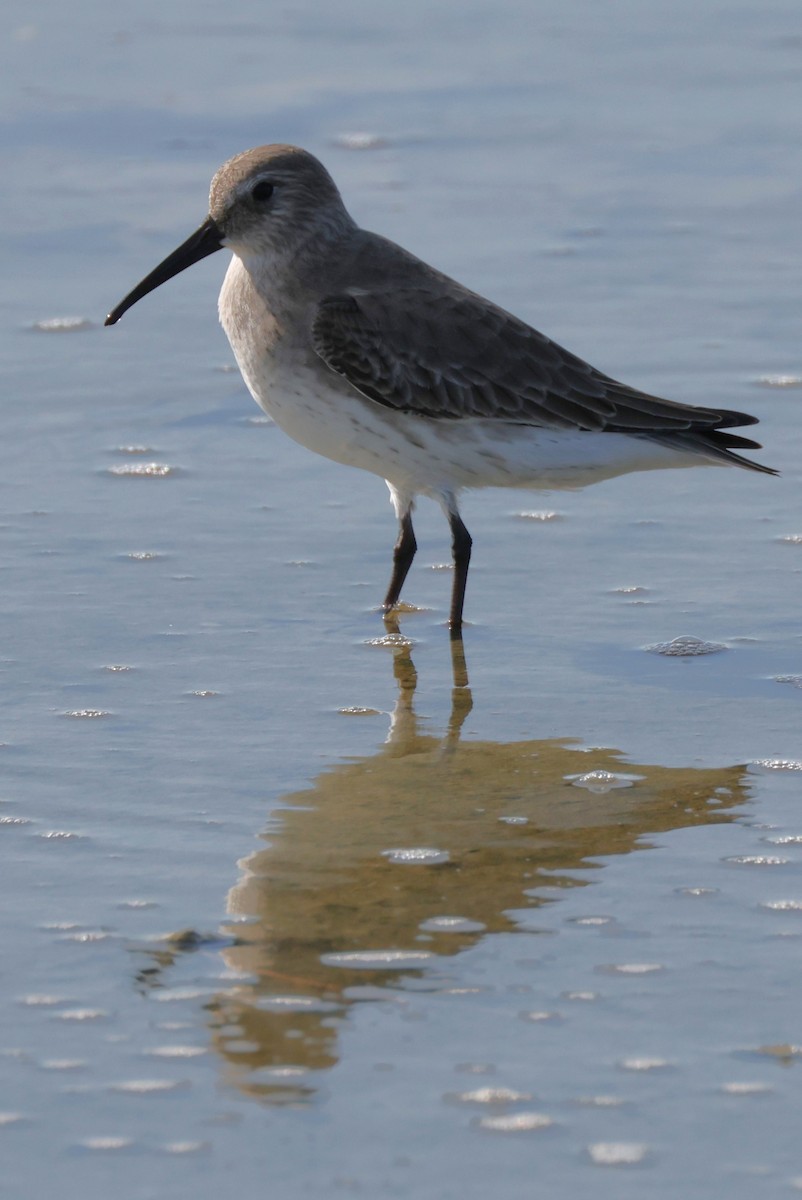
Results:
[447, 353]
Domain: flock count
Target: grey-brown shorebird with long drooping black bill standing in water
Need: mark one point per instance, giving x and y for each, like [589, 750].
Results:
[368, 356]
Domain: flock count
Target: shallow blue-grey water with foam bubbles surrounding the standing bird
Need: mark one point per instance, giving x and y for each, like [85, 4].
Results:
[290, 896]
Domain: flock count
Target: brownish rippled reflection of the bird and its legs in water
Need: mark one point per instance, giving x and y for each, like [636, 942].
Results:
[376, 877]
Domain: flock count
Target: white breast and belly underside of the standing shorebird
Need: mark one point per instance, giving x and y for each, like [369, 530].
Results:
[325, 413]
